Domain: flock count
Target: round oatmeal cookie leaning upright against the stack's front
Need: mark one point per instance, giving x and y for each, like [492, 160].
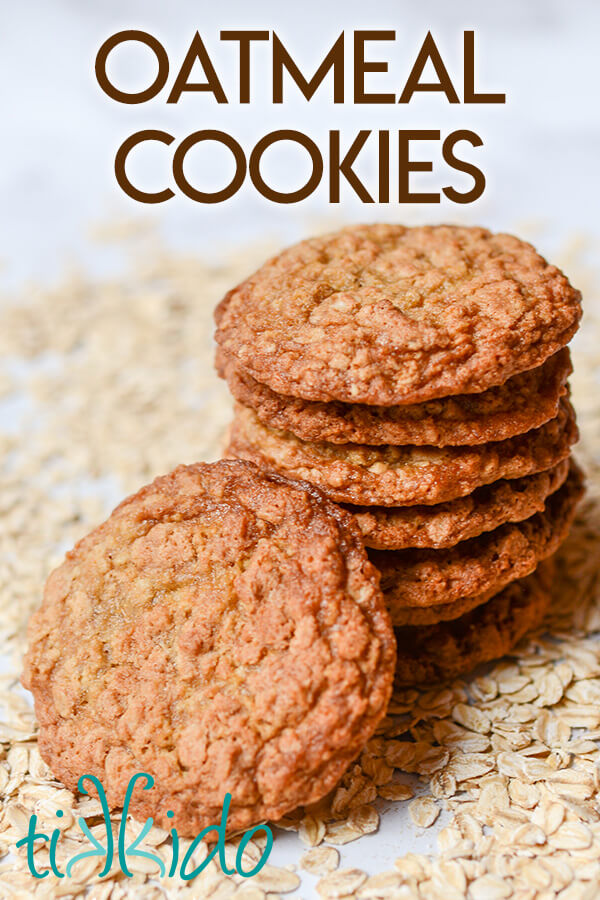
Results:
[223, 631]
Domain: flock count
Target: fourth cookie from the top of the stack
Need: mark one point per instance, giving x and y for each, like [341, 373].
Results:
[446, 524]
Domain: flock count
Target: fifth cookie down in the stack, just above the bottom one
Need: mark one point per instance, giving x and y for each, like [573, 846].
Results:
[481, 565]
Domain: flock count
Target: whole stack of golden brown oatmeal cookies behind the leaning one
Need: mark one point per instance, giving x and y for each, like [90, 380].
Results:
[418, 376]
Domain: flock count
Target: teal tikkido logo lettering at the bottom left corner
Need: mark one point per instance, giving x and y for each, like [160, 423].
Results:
[132, 850]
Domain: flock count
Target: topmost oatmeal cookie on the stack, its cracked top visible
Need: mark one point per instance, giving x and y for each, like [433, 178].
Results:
[384, 315]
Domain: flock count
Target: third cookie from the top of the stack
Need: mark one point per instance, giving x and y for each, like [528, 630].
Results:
[365, 475]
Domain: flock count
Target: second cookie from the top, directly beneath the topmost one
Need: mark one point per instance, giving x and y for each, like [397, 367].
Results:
[524, 402]
